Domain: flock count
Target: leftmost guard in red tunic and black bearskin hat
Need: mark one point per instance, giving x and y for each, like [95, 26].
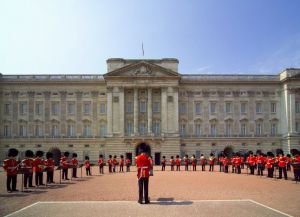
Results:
[10, 165]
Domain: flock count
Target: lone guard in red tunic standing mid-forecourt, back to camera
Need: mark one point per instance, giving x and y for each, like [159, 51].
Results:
[143, 172]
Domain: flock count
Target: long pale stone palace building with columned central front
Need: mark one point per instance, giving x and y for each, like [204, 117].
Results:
[148, 100]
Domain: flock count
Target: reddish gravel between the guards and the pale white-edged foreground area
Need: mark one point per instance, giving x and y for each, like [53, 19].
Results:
[282, 195]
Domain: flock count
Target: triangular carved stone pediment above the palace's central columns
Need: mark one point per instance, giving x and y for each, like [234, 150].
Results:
[142, 69]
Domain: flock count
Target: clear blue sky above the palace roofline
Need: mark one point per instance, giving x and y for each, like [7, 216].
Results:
[206, 36]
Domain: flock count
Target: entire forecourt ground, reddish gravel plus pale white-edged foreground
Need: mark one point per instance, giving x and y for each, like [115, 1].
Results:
[172, 194]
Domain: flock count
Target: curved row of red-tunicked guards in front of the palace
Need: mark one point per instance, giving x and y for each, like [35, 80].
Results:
[37, 164]
